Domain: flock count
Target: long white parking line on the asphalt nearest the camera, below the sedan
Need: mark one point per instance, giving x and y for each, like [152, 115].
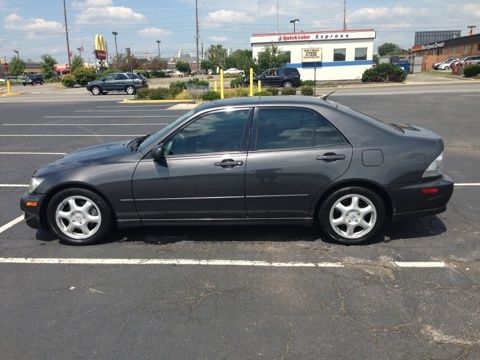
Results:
[215, 262]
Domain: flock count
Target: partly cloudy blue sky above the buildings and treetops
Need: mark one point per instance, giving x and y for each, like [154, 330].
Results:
[36, 27]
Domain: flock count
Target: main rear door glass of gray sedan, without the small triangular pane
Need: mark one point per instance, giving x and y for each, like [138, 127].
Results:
[285, 128]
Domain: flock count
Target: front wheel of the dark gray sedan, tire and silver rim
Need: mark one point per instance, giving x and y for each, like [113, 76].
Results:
[79, 217]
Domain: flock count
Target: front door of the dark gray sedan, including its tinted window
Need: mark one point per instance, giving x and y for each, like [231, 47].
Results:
[202, 176]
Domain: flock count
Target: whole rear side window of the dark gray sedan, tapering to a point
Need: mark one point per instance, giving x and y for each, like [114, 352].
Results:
[293, 128]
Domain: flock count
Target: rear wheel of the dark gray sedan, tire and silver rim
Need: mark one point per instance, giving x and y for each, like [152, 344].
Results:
[350, 222]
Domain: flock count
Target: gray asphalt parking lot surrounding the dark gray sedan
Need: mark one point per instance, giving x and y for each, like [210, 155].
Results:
[239, 292]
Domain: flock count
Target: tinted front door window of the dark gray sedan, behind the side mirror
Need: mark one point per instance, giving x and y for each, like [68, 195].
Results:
[214, 132]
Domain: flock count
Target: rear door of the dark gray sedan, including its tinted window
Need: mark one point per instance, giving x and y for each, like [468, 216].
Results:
[294, 154]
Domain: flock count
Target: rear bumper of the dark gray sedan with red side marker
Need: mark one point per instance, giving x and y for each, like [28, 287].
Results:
[426, 198]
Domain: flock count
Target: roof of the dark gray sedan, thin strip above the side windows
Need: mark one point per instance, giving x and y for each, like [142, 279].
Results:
[268, 100]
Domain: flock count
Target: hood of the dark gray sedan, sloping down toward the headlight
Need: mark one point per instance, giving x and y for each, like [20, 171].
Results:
[91, 156]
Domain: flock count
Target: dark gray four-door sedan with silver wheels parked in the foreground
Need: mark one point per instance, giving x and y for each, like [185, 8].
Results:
[274, 160]
